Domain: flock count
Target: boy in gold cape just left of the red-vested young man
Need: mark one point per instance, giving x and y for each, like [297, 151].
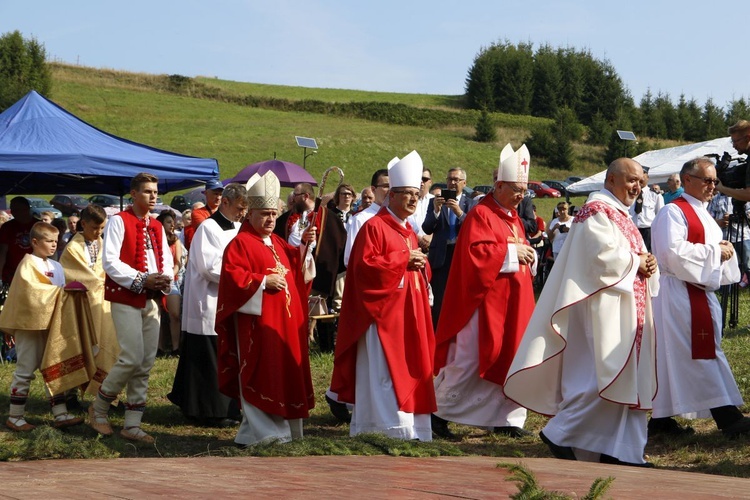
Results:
[82, 261]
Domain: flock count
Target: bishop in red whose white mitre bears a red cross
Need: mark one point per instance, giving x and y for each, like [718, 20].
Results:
[490, 297]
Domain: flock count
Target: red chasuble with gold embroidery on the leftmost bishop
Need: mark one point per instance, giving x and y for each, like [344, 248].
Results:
[273, 361]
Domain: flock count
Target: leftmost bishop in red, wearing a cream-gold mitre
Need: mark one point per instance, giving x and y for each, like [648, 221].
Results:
[261, 322]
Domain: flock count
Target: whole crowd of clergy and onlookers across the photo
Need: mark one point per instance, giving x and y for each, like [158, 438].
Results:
[426, 297]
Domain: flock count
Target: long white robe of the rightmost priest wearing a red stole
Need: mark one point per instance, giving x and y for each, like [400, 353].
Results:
[689, 387]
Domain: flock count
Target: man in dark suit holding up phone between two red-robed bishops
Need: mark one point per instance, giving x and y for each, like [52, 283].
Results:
[445, 214]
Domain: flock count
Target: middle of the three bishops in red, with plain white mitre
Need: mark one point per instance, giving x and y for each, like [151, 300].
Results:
[385, 346]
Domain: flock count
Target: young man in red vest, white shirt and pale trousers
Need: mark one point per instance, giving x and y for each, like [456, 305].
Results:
[138, 264]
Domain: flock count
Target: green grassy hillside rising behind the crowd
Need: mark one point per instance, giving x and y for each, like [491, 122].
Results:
[211, 118]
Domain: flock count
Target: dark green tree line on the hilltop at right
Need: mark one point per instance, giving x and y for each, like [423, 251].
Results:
[586, 100]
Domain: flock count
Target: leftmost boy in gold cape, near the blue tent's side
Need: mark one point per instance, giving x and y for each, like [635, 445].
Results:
[33, 305]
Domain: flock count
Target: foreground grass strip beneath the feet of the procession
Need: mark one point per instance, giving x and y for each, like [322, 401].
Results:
[707, 451]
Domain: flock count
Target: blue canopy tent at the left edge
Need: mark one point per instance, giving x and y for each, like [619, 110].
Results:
[44, 149]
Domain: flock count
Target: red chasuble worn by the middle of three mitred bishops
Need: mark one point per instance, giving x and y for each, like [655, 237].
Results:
[377, 267]
